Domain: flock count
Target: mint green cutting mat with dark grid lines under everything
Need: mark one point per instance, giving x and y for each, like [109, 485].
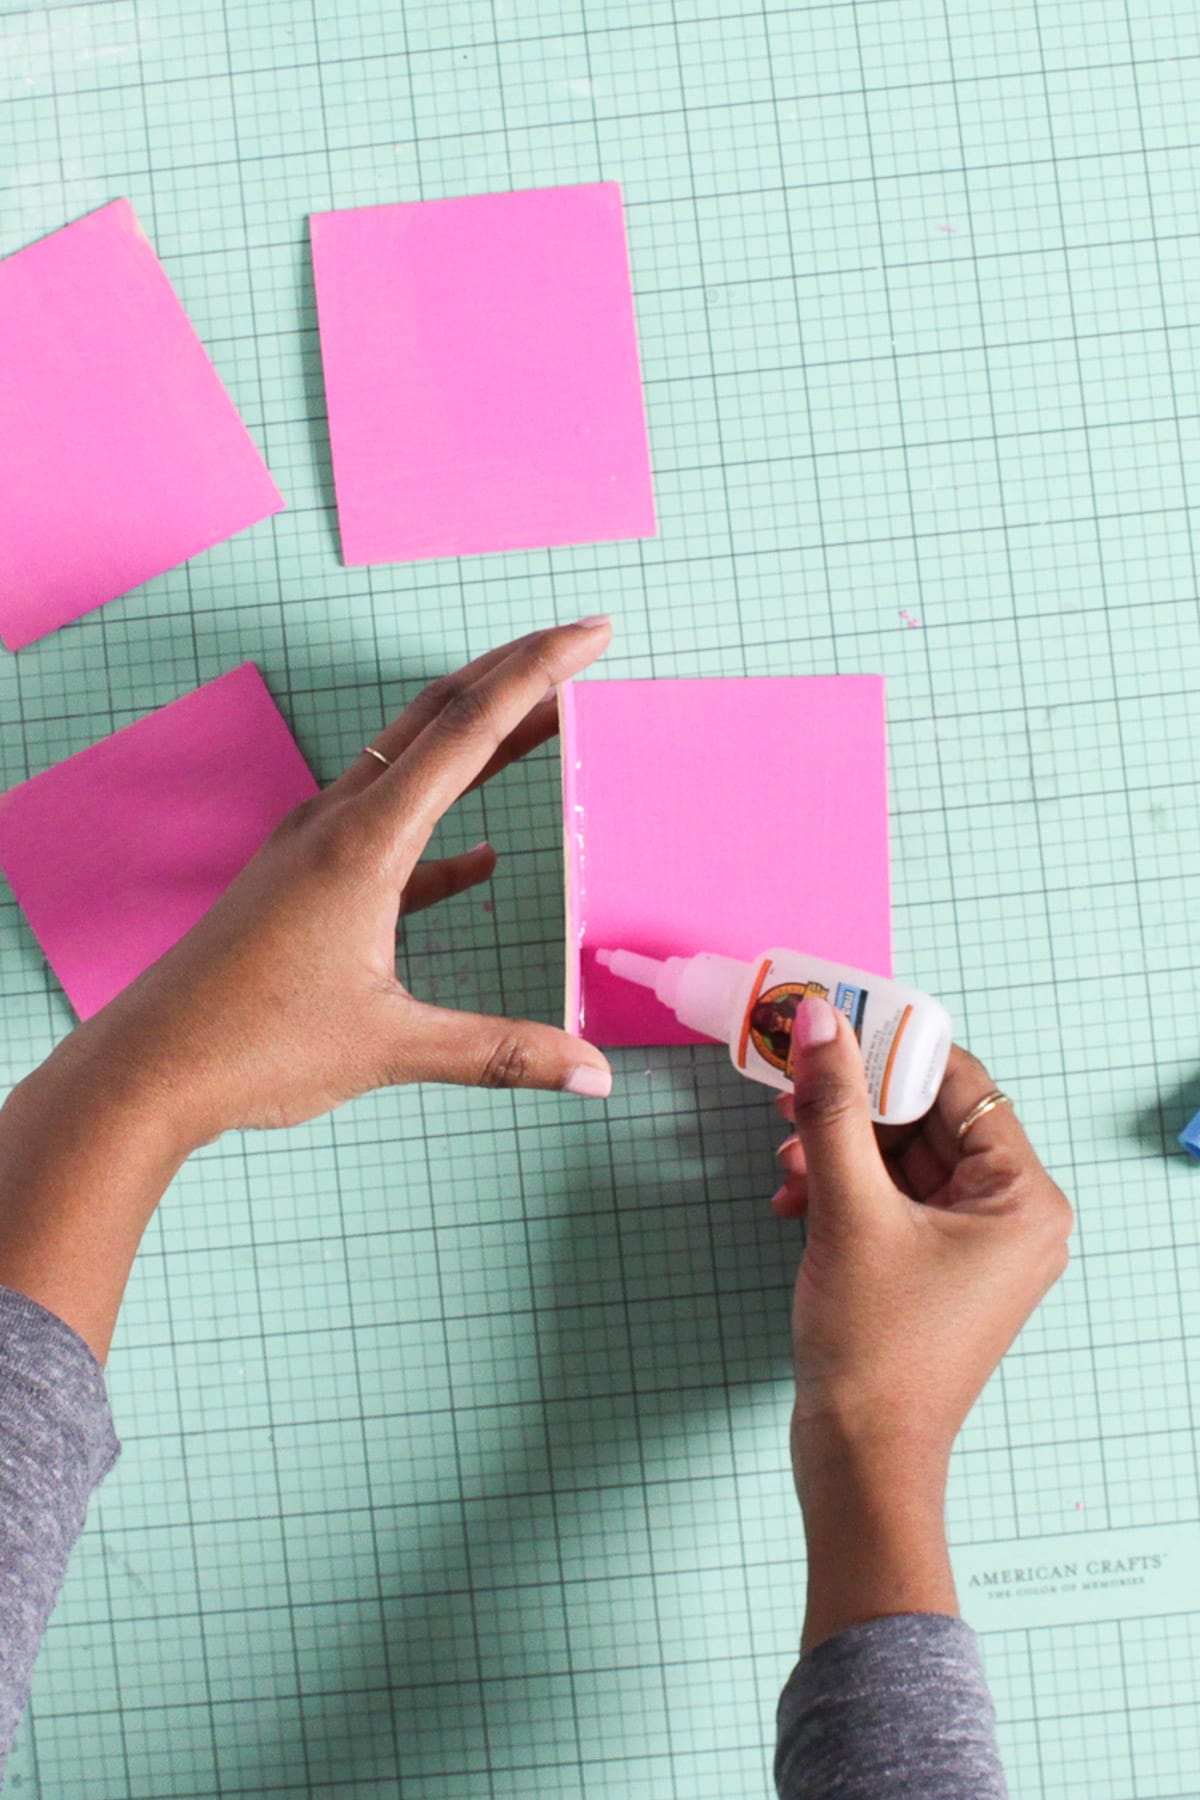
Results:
[454, 1426]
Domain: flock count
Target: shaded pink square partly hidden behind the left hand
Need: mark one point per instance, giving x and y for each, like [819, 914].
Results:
[121, 849]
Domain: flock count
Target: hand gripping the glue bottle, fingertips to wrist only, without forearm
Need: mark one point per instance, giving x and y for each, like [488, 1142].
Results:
[924, 1257]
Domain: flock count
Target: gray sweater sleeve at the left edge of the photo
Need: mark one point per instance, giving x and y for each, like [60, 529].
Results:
[57, 1444]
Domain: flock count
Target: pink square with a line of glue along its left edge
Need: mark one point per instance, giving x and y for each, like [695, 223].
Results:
[731, 816]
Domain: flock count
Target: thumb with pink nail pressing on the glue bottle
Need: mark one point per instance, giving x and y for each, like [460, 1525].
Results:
[832, 1111]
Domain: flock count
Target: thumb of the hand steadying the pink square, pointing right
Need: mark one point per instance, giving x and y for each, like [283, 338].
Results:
[478, 1050]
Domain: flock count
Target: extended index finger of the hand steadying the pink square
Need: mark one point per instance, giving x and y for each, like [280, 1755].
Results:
[452, 750]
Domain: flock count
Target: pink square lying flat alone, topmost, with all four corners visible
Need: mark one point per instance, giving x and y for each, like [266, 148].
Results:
[481, 373]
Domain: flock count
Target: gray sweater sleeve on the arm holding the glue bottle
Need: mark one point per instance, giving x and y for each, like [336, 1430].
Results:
[897, 1709]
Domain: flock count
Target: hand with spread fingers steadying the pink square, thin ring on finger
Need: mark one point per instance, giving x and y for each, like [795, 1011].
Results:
[283, 1002]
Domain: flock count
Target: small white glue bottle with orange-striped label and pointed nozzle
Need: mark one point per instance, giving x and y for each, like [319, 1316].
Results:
[904, 1034]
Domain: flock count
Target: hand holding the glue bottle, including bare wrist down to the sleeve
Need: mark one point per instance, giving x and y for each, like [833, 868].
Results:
[924, 1257]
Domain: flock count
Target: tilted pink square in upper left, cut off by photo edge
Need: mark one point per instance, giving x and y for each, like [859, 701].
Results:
[123, 454]
